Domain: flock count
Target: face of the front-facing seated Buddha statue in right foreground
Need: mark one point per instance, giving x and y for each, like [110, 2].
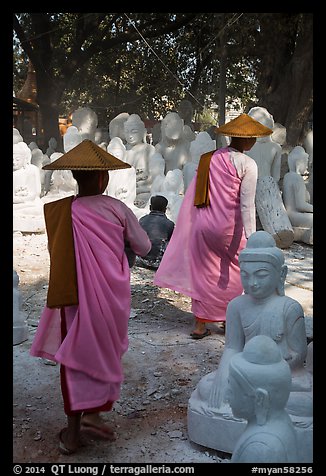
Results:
[259, 278]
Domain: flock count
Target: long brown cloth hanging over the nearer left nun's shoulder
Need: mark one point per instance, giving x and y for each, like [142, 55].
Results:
[62, 289]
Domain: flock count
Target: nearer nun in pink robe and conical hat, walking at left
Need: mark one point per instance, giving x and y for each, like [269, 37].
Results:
[84, 324]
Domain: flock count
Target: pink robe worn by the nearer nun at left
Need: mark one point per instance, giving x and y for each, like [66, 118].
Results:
[97, 329]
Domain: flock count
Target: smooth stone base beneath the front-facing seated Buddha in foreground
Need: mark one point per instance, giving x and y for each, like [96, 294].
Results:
[220, 433]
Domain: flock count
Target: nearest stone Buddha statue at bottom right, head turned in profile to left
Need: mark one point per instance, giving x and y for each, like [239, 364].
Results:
[258, 389]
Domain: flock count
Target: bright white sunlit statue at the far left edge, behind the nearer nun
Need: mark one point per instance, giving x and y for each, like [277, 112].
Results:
[27, 205]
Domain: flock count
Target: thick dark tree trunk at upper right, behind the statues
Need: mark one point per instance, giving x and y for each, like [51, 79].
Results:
[286, 78]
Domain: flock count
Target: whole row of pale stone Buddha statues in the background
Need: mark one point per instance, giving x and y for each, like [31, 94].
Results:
[167, 167]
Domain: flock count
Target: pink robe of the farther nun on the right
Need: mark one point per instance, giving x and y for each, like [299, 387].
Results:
[201, 259]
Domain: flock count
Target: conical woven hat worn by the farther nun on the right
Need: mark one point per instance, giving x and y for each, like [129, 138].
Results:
[244, 126]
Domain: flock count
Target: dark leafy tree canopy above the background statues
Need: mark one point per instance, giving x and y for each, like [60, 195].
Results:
[146, 63]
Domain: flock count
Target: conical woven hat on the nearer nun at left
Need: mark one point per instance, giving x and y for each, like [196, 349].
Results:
[87, 156]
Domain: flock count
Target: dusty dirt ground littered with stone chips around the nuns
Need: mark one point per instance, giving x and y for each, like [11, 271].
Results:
[162, 367]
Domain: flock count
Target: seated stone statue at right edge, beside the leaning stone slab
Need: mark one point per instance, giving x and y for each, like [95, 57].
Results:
[296, 196]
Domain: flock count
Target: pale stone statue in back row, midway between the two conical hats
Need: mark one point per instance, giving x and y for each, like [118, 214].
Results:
[173, 146]
